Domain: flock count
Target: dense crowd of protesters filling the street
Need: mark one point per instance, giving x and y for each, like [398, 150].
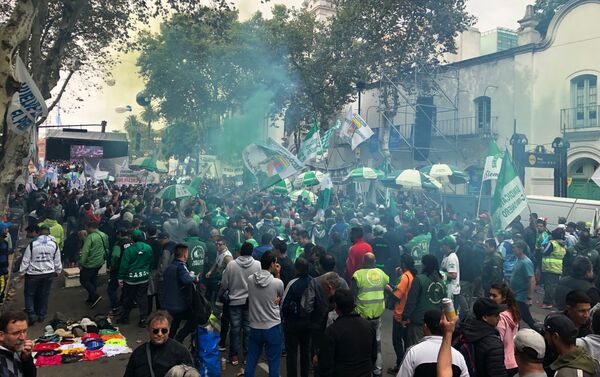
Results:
[313, 283]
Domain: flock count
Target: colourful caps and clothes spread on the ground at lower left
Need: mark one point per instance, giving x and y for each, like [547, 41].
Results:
[69, 342]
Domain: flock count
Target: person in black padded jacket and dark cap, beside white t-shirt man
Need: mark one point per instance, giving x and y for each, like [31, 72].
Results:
[480, 331]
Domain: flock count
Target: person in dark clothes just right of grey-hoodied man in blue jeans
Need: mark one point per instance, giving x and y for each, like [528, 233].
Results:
[296, 321]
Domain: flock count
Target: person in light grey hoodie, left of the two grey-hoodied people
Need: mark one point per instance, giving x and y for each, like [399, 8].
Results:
[235, 283]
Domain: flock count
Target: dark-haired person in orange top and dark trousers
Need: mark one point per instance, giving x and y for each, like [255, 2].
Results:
[407, 274]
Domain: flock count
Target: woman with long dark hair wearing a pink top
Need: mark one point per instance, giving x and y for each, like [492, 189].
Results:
[508, 324]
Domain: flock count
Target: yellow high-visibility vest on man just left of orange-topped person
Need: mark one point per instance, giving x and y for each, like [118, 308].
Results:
[370, 301]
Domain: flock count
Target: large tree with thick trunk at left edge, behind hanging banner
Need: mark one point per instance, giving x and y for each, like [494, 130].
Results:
[55, 37]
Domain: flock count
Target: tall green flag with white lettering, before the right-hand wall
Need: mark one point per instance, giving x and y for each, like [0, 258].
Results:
[509, 197]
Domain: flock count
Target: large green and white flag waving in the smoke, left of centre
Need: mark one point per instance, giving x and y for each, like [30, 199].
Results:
[270, 163]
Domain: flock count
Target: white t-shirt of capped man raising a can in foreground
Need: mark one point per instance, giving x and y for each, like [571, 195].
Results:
[426, 352]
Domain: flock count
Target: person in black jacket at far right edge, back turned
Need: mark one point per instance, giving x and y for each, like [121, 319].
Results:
[580, 279]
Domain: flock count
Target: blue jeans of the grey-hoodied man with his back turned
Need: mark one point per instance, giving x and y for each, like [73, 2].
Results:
[270, 339]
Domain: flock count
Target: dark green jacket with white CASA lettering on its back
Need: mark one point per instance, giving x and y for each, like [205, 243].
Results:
[136, 263]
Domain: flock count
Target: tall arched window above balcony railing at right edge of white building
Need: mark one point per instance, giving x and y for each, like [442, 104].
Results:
[584, 92]
